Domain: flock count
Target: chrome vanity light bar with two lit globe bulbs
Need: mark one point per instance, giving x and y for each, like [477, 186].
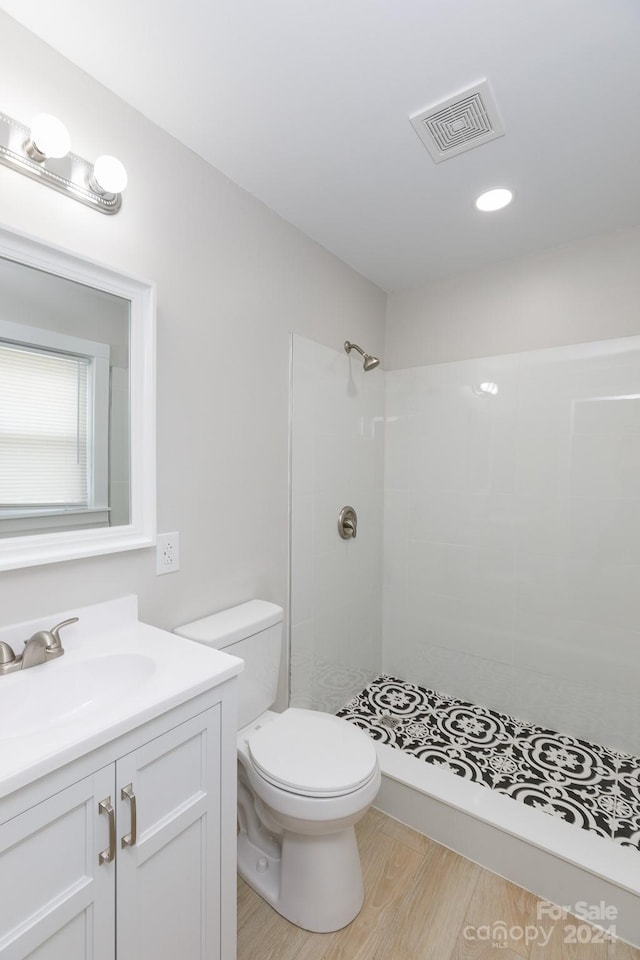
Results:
[42, 153]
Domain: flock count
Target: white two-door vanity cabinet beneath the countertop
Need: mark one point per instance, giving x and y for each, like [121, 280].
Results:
[128, 861]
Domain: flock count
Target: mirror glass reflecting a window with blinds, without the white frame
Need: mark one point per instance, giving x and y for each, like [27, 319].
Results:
[64, 404]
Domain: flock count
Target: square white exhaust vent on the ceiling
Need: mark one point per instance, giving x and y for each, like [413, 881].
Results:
[462, 122]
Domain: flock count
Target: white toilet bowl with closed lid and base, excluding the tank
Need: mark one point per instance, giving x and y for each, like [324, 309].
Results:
[304, 781]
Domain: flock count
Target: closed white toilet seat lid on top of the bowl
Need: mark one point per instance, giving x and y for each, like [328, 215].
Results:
[312, 754]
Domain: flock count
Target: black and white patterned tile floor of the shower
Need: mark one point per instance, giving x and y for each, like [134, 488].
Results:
[585, 784]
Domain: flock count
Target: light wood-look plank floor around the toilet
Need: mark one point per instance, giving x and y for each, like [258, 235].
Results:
[423, 902]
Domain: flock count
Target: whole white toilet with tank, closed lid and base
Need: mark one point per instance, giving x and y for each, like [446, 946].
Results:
[304, 779]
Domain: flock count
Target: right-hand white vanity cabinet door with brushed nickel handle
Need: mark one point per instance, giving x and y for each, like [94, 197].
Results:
[168, 882]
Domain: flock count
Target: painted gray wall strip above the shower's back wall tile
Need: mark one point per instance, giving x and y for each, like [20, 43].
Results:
[572, 294]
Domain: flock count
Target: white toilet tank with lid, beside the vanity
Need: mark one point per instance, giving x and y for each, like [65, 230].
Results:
[253, 632]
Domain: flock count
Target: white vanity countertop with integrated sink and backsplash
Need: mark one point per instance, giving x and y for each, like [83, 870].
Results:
[116, 673]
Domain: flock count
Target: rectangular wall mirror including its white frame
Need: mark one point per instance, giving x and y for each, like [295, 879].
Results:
[77, 406]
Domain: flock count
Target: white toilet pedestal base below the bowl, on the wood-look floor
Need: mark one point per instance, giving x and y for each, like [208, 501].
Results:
[316, 882]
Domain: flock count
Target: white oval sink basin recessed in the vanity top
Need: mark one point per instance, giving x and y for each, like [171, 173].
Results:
[59, 693]
